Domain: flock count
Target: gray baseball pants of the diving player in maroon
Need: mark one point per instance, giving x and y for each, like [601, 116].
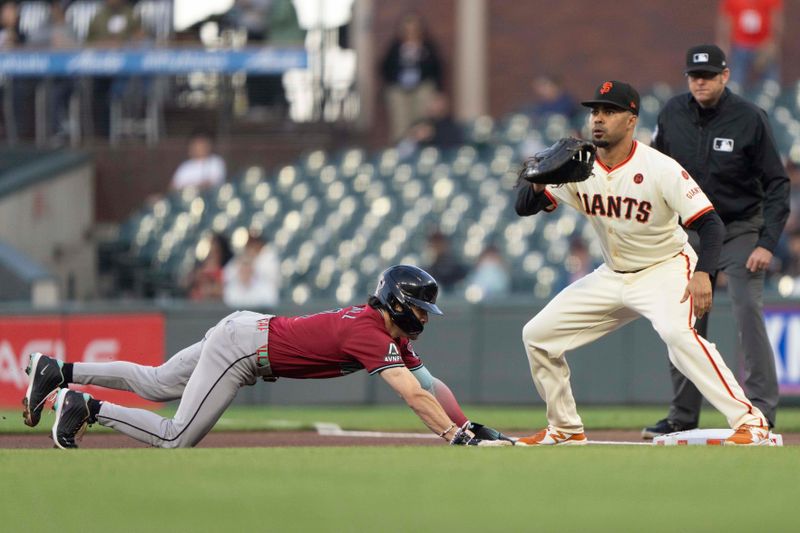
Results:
[205, 377]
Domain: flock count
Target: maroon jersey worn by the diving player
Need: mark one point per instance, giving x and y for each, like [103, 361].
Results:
[334, 343]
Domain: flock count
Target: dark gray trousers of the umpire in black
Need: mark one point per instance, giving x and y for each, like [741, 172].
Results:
[746, 291]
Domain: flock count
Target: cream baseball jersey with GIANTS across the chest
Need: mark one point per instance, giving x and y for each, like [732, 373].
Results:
[634, 207]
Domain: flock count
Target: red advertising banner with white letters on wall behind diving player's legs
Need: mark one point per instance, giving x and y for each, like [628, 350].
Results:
[90, 338]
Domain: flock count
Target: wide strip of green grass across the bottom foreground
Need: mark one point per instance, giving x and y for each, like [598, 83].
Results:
[401, 489]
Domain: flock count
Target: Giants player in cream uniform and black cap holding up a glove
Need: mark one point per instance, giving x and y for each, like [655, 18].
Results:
[633, 201]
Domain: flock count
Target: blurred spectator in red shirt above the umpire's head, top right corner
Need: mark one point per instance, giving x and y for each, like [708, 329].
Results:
[750, 32]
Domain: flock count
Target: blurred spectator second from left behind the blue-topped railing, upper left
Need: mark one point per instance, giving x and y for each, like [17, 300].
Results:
[56, 34]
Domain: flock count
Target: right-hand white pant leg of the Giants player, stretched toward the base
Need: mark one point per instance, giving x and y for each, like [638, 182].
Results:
[656, 294]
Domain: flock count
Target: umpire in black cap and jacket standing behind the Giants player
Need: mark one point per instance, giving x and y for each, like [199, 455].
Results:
[727, 145]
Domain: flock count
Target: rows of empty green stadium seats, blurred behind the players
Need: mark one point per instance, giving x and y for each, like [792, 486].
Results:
[338, 219]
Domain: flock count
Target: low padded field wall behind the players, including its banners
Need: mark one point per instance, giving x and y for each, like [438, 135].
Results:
[477, 350]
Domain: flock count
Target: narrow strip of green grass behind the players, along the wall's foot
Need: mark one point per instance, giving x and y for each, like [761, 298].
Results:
[400, 418]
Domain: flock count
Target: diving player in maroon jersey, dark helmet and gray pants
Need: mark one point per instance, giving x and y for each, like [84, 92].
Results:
[244, 346]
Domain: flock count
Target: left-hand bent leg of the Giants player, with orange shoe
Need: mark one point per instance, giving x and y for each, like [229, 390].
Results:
[581, 313]
